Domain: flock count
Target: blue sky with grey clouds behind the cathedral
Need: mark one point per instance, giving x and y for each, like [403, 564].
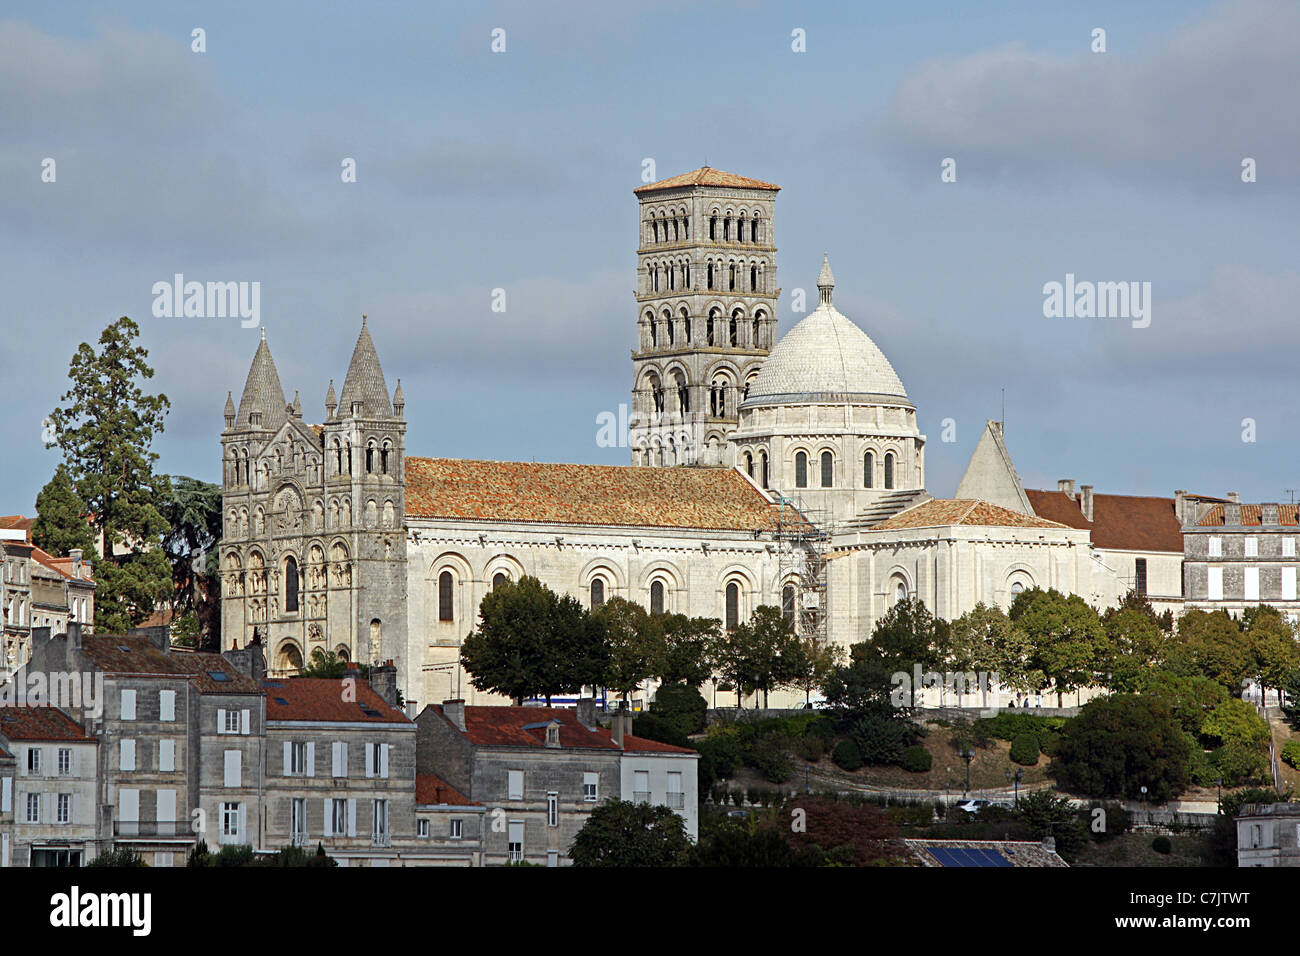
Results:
[479, 170]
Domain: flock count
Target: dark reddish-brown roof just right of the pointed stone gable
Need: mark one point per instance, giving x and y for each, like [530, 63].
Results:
[1124, 522]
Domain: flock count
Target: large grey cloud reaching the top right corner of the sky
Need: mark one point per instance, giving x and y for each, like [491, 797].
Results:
[1186, 111]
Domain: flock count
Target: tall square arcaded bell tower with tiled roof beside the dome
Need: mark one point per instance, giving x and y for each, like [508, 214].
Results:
[707, 313]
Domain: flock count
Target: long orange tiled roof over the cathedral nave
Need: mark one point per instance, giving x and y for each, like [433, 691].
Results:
[705, 499]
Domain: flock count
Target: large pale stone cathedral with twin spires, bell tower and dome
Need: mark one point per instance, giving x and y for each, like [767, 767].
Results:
[764, 473]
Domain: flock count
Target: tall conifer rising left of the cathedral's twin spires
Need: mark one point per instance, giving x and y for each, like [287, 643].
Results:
[106, 430]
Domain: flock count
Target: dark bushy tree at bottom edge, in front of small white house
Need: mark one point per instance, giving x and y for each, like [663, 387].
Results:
[619, 833]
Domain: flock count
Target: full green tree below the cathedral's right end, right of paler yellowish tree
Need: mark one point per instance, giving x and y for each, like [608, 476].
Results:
[1069, 642]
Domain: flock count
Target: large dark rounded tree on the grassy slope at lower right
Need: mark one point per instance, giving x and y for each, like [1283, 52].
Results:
[1120, 745]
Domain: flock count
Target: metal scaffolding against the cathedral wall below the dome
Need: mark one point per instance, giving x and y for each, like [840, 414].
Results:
[803, 537]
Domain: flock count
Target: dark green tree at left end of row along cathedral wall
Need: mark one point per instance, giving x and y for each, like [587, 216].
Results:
[532, 643]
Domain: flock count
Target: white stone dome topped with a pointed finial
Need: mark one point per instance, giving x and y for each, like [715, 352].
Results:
[826, 358]
